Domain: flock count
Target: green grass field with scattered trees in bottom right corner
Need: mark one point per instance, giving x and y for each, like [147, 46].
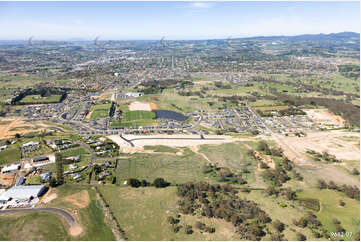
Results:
[349, 215]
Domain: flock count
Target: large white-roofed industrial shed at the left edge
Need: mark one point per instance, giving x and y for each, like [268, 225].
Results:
[23, 193]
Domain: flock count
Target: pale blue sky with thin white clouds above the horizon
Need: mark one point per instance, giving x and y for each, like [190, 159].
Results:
[174, 20]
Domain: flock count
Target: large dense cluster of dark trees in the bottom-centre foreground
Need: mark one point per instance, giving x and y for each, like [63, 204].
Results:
[220, 201]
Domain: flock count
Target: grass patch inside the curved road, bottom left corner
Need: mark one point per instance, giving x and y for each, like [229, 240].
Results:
[32, 226]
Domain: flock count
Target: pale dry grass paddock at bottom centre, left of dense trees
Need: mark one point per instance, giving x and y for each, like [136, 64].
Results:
[142, 213]
